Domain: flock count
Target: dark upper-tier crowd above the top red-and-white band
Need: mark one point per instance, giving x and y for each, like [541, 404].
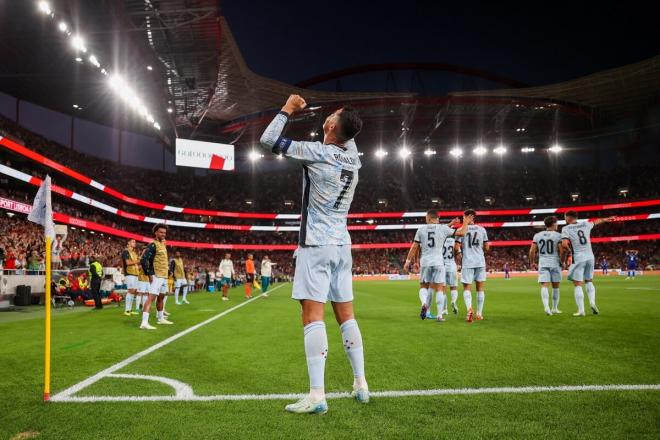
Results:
[384, 186]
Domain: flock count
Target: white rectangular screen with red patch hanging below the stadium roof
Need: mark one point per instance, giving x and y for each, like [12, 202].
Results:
[208, 155]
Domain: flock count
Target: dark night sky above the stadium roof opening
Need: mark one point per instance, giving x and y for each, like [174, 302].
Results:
[534, 42]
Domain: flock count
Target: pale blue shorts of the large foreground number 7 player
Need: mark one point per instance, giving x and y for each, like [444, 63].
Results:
[324, 273]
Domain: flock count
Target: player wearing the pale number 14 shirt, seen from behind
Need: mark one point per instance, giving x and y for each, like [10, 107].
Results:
[473, 267]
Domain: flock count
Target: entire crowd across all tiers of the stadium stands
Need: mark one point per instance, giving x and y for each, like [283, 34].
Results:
[398, 186]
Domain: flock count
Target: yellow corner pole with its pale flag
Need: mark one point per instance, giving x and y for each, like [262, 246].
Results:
[42, 213]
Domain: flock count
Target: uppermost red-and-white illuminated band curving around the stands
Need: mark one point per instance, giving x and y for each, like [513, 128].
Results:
[23, 151]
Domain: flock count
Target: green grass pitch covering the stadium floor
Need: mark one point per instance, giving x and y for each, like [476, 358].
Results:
[257, 349]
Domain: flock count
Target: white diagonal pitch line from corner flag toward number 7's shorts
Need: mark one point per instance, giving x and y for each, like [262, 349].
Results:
[69, 392]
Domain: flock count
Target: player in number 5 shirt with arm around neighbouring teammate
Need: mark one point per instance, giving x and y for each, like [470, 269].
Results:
[429, 239]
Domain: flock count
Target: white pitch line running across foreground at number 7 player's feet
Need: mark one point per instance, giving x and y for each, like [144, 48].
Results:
[384, 394]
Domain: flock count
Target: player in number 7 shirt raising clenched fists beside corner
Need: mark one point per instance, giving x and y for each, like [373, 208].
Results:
[324, 261]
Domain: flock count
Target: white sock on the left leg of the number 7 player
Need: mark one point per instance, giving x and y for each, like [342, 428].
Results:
[316, 351]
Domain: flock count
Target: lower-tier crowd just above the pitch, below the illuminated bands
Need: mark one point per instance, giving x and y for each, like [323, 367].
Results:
[24, 251]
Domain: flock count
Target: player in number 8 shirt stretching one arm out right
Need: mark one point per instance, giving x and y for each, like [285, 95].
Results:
[576, 238]
